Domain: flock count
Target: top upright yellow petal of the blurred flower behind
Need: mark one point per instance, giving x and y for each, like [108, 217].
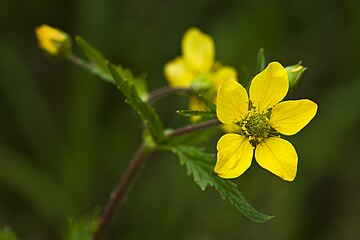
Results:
[198, 50]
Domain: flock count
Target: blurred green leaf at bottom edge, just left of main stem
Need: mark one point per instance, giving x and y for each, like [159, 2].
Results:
[81, 229]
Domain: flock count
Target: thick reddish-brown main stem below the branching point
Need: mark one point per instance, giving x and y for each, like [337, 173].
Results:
[119, 192]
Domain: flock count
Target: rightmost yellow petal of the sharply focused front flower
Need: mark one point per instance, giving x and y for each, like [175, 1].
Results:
[289, 117]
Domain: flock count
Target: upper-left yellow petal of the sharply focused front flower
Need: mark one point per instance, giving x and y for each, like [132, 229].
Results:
[232, 102]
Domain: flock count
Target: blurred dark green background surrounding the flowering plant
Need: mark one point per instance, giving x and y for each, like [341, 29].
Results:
[66, 136]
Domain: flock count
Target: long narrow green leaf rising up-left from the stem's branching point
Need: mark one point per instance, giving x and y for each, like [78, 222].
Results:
[123, 79]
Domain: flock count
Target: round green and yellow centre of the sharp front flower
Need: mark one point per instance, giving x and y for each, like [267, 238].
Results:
[255, 126]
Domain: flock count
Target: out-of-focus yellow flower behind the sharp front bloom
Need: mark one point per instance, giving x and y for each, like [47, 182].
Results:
[196, 68]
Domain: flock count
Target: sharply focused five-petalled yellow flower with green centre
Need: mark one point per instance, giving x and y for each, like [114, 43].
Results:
[260, 119]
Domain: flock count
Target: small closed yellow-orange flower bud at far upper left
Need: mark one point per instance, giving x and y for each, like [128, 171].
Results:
[53, 41]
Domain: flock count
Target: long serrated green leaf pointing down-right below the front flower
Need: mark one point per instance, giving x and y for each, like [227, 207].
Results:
[201, 165]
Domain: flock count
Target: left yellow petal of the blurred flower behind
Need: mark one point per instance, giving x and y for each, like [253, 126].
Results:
[178, 74]
